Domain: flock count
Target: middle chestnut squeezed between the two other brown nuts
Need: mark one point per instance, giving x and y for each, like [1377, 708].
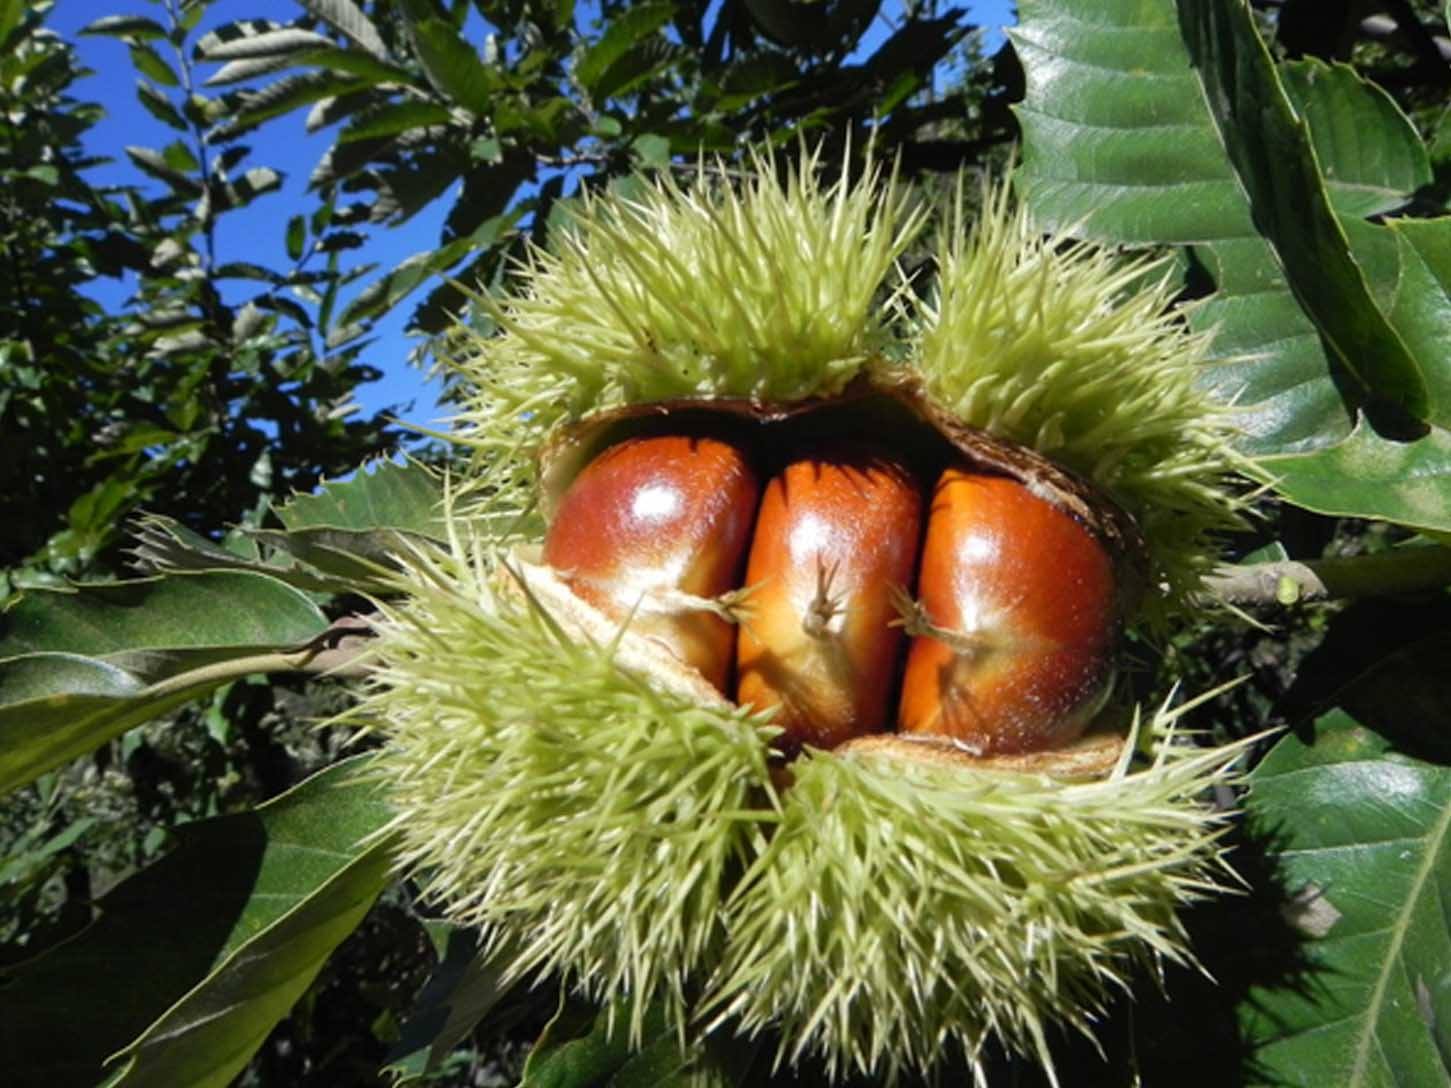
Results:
[837, 532]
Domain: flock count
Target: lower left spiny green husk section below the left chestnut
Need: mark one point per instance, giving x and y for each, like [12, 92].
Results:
[565, 806]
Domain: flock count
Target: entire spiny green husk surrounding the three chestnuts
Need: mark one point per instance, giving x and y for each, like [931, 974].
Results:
[581, 815]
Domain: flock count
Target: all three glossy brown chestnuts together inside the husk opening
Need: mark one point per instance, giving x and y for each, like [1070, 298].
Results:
[868, 523]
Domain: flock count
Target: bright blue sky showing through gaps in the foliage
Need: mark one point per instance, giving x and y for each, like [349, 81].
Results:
[258, 233]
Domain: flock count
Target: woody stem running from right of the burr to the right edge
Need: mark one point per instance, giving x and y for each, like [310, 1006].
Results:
[1289, 582]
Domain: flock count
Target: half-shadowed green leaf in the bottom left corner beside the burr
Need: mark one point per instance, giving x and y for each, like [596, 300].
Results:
[210, 947]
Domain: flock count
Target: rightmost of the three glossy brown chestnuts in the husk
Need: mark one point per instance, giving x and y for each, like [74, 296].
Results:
[1021, 619]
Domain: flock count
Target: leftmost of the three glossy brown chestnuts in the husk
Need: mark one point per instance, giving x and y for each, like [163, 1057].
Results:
[655, 529]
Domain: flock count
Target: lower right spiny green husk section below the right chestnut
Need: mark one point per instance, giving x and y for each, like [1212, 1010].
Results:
[905, 913]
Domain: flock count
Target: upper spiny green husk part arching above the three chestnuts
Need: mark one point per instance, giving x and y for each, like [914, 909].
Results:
[786, 288]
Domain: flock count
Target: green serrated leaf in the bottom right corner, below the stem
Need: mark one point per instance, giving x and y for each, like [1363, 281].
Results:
[1365, 844]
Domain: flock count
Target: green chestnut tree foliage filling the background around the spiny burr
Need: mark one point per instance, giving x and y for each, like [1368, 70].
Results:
[192, 890]
